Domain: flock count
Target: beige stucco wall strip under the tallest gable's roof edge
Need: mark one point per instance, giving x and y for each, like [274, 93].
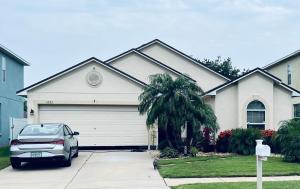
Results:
[205, 78]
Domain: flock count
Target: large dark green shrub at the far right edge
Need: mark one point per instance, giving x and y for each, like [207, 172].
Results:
[288, 136]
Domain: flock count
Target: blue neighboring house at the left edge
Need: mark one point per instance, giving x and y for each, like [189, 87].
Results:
[11, 80]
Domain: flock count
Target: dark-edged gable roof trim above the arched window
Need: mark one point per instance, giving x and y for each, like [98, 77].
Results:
[267, 74]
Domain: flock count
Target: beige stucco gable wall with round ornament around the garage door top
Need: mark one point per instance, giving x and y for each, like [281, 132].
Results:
[72, 88]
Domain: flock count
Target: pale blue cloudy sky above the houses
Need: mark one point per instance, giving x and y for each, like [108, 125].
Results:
[55, 34]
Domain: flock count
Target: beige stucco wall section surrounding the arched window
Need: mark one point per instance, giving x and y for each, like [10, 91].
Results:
[231, 102]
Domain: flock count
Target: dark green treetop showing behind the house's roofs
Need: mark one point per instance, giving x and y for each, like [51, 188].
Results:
[223, 66]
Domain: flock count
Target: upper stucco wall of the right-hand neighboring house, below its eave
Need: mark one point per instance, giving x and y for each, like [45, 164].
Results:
[280, 71]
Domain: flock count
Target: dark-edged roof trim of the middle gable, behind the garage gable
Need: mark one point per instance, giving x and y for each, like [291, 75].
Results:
[139, 53]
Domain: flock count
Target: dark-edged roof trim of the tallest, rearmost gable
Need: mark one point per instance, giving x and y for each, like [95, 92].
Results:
[157, 41]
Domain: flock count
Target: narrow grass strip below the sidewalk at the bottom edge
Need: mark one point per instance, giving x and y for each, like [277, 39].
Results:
[247, 185]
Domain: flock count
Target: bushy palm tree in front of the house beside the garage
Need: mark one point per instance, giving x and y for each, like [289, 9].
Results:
[172, 104]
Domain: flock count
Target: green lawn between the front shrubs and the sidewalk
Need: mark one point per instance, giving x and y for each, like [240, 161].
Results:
[230, 166]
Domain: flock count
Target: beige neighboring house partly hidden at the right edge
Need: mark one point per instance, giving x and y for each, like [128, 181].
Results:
[287, 69]
